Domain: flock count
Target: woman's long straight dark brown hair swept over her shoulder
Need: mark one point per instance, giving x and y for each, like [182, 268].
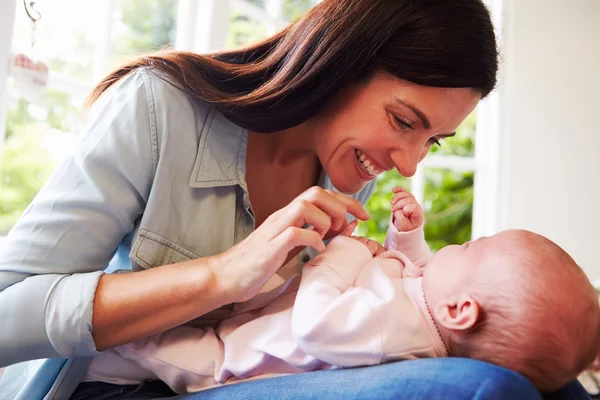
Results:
[288, 78]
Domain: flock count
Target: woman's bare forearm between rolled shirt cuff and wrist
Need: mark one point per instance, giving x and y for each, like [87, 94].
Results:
[131, 306]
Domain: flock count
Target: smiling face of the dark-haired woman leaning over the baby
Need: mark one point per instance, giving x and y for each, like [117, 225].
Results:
[385, 123]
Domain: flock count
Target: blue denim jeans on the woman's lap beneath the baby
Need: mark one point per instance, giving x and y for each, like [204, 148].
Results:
[431, 379]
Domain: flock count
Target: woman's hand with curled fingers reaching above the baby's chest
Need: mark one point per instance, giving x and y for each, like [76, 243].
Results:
[242, 270]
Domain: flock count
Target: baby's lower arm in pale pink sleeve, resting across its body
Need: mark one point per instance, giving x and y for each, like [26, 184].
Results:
[331, 319]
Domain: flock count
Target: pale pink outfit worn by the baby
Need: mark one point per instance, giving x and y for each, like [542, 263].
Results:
[349, 309]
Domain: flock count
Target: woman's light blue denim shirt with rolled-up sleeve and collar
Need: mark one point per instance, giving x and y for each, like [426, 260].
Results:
[157, 178]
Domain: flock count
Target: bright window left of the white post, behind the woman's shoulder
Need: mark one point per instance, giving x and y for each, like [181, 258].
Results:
[79, 47]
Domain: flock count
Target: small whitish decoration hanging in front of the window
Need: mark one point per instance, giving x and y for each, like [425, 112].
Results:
[30, 76]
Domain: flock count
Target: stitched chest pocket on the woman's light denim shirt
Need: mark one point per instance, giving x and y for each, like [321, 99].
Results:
[152, 250]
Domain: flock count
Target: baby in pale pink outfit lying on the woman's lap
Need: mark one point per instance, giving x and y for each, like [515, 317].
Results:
[514, 299]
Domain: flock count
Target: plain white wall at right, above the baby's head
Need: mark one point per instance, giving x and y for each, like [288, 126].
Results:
[550, 124]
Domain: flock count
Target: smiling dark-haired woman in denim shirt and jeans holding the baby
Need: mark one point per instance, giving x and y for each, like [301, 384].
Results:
[197, 174]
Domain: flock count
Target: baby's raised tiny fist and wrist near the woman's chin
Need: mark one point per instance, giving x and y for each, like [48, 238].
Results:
[405, 232]
